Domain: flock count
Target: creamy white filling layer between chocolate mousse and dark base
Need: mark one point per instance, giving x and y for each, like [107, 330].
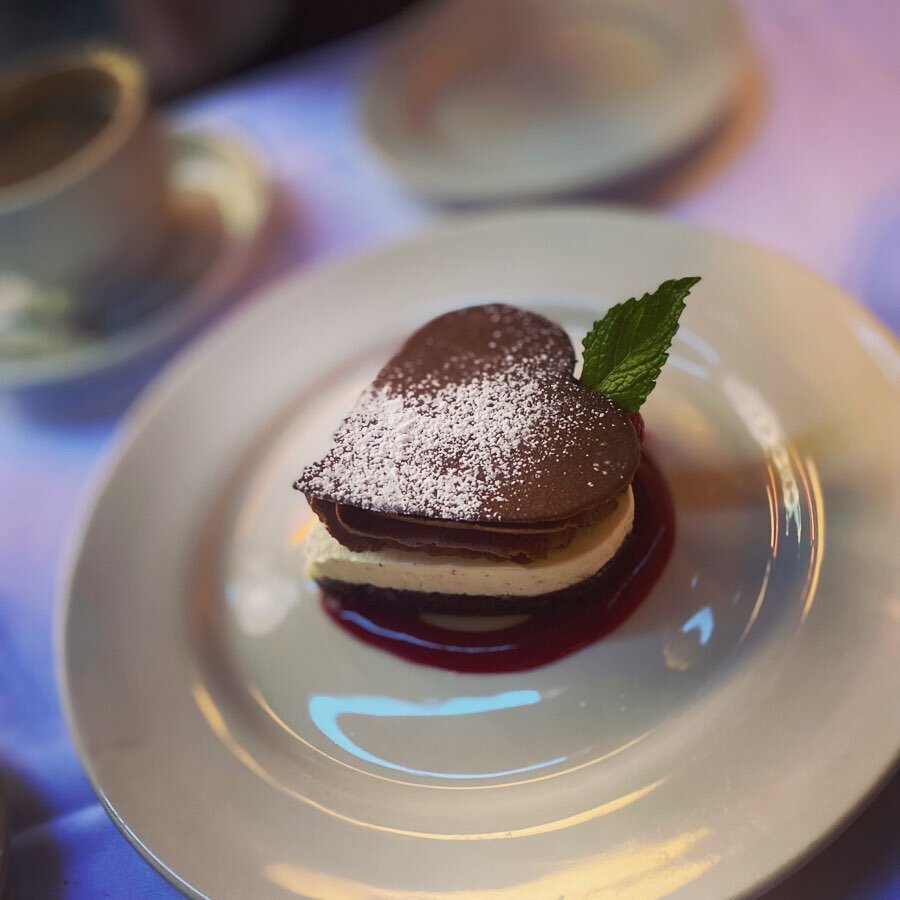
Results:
[410, 570]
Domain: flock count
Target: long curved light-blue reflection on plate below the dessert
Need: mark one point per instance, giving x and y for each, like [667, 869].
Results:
[325, 712]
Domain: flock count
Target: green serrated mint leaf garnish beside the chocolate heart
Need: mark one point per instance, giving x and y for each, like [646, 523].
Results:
[625, 351]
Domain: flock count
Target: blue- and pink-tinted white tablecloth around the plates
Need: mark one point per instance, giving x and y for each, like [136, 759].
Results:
[808, 164]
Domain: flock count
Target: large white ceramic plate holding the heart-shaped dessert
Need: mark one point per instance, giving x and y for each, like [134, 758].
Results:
[248, 748]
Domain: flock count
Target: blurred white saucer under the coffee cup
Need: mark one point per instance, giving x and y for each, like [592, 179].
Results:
[222, 201]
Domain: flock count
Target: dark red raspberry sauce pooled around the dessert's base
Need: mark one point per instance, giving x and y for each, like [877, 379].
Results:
[543, 637]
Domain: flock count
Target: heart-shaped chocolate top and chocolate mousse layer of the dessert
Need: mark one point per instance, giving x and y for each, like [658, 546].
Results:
[475, 440]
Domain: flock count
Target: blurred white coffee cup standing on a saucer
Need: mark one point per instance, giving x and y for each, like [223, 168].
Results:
[84, 199]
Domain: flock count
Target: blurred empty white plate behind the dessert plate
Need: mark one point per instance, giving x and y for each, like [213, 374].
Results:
[521, 98]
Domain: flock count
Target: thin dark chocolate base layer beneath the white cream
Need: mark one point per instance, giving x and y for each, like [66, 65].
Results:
[592, 589]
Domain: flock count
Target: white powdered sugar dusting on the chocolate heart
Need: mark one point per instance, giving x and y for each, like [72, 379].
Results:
[454, 450]
